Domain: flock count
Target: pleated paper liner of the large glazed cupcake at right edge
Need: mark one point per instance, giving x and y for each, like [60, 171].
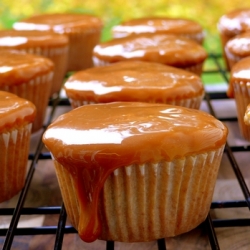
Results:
[242, 99]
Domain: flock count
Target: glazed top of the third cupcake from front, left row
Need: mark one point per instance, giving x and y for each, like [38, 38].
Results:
[15, 39]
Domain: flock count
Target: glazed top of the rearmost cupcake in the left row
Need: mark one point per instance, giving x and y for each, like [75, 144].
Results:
[59, 22]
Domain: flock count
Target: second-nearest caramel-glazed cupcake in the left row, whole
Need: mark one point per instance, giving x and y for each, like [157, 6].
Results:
[28, 76]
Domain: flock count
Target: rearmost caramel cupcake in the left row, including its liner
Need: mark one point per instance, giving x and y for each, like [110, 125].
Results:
[83, 31]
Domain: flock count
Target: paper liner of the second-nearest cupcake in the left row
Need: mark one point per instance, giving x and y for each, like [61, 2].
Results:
[37, 91]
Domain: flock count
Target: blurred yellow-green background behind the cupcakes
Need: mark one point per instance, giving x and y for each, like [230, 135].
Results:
[206, 12]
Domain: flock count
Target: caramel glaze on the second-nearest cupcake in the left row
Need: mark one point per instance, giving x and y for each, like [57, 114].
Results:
[18, 67]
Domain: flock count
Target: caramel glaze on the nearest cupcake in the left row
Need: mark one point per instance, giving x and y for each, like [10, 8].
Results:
[14, 111]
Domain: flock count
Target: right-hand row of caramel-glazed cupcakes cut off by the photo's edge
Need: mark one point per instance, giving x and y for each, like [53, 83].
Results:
[234, 30]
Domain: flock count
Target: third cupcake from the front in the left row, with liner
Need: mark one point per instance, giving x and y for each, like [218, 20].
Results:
[46, 43]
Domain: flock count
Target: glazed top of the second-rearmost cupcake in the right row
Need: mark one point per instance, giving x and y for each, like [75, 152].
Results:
[239, 45]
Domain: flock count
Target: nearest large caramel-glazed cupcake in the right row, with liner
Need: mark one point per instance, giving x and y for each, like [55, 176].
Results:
[239, 88]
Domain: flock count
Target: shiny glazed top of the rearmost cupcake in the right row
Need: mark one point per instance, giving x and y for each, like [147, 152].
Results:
[235, 22]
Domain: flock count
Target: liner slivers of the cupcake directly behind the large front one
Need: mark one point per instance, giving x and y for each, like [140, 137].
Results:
[194, 102]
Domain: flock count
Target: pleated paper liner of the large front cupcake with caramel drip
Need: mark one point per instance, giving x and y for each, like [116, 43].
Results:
[150, 201]
